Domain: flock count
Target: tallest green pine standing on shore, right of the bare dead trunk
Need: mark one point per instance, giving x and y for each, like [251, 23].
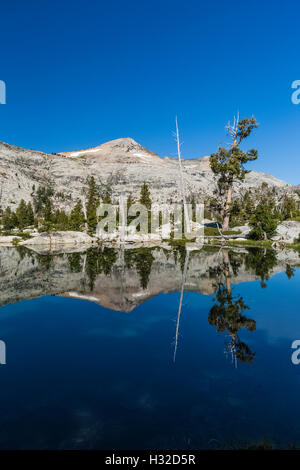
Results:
[228, 164]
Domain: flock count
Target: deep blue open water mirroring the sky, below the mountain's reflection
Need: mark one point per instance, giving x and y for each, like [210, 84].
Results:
[81, 376]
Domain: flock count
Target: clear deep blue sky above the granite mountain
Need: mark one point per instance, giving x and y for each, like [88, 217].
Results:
[79, 73]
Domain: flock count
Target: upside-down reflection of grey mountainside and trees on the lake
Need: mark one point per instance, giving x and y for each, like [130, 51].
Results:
[121, 279]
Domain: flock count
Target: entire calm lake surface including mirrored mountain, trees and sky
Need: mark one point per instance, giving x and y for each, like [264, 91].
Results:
[100, 355]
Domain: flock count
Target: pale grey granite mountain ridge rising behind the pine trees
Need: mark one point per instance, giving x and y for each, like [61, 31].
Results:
[120, 166]
